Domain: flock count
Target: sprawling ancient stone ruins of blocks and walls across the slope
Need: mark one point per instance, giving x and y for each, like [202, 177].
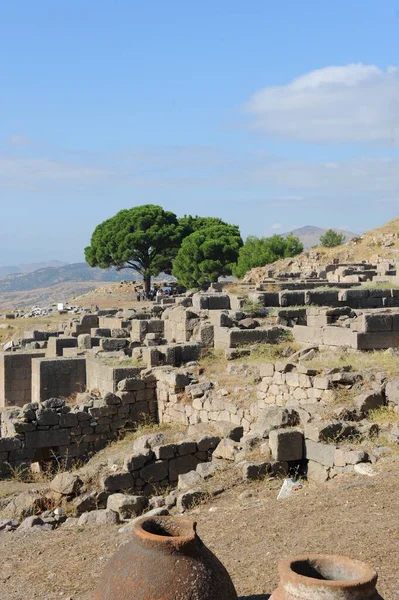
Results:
[123, 368]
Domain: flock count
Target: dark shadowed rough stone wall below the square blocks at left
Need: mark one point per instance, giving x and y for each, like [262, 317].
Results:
[42, 430]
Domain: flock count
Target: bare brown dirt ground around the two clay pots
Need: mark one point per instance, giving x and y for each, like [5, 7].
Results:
[356, 516]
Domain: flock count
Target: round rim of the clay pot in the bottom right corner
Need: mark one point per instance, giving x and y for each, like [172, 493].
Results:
[367, 575]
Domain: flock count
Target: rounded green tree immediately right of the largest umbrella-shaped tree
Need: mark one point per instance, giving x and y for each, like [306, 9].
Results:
[207, 254]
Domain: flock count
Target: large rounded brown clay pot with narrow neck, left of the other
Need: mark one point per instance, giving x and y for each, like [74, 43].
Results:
[165, 560]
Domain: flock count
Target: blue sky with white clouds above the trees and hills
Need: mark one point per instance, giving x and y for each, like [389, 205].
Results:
[272, 115]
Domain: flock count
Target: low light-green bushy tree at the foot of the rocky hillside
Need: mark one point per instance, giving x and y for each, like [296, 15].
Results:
[258, 252]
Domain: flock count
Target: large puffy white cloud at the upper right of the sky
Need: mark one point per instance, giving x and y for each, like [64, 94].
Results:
[354, 103]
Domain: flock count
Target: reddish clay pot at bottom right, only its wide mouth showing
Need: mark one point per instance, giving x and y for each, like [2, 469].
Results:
[325, 577]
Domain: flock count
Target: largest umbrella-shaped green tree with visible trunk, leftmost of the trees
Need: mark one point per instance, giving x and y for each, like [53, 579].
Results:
[144, 238]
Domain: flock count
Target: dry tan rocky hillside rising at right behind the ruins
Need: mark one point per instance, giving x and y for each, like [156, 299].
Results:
[374, 246]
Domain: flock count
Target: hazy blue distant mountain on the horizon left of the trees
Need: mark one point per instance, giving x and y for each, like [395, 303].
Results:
[49, 276]
